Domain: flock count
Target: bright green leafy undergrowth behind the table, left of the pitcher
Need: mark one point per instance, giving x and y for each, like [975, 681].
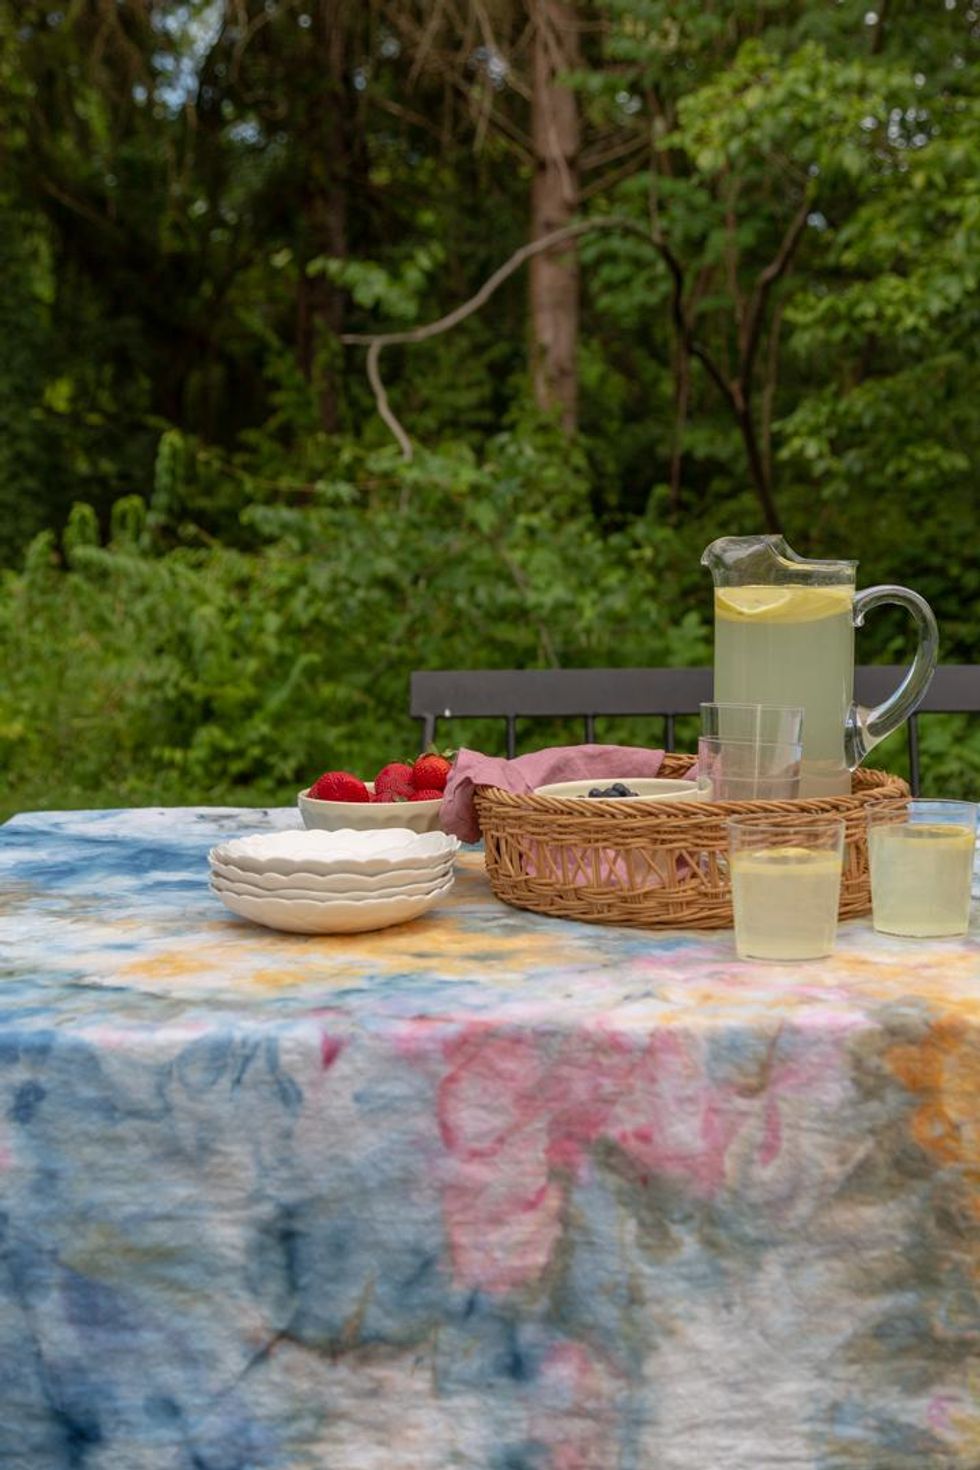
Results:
[215, 673]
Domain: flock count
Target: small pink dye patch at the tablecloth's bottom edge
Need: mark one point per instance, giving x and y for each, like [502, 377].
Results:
[577, 1410]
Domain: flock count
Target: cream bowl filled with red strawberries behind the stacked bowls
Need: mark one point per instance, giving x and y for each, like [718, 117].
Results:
[403, 795]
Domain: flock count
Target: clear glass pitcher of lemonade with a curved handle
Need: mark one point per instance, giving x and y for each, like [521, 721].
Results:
[784, 634]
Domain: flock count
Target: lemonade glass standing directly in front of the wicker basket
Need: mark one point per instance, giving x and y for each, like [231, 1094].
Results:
[785, 887]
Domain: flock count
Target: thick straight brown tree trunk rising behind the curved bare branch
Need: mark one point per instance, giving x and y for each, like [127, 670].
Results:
[555, 276]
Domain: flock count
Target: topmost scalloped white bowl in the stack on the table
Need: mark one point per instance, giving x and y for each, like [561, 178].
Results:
[327, 853]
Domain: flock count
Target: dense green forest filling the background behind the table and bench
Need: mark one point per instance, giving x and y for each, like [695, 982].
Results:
[233, 521]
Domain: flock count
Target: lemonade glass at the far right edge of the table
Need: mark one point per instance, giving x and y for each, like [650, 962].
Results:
[922, 868]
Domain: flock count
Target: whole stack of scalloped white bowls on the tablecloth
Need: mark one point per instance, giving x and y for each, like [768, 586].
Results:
[333, 883]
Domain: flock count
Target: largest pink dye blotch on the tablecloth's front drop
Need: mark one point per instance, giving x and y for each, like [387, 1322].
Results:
[519, 1116]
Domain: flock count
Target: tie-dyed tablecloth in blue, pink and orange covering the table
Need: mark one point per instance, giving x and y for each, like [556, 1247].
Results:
[484, 1191]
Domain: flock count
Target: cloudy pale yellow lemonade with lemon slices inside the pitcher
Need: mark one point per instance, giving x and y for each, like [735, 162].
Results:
[793, 646]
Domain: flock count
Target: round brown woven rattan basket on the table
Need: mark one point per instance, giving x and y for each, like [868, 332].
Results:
[659, 867]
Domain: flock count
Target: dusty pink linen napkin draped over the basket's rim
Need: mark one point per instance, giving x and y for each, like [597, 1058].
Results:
[540, 768]
